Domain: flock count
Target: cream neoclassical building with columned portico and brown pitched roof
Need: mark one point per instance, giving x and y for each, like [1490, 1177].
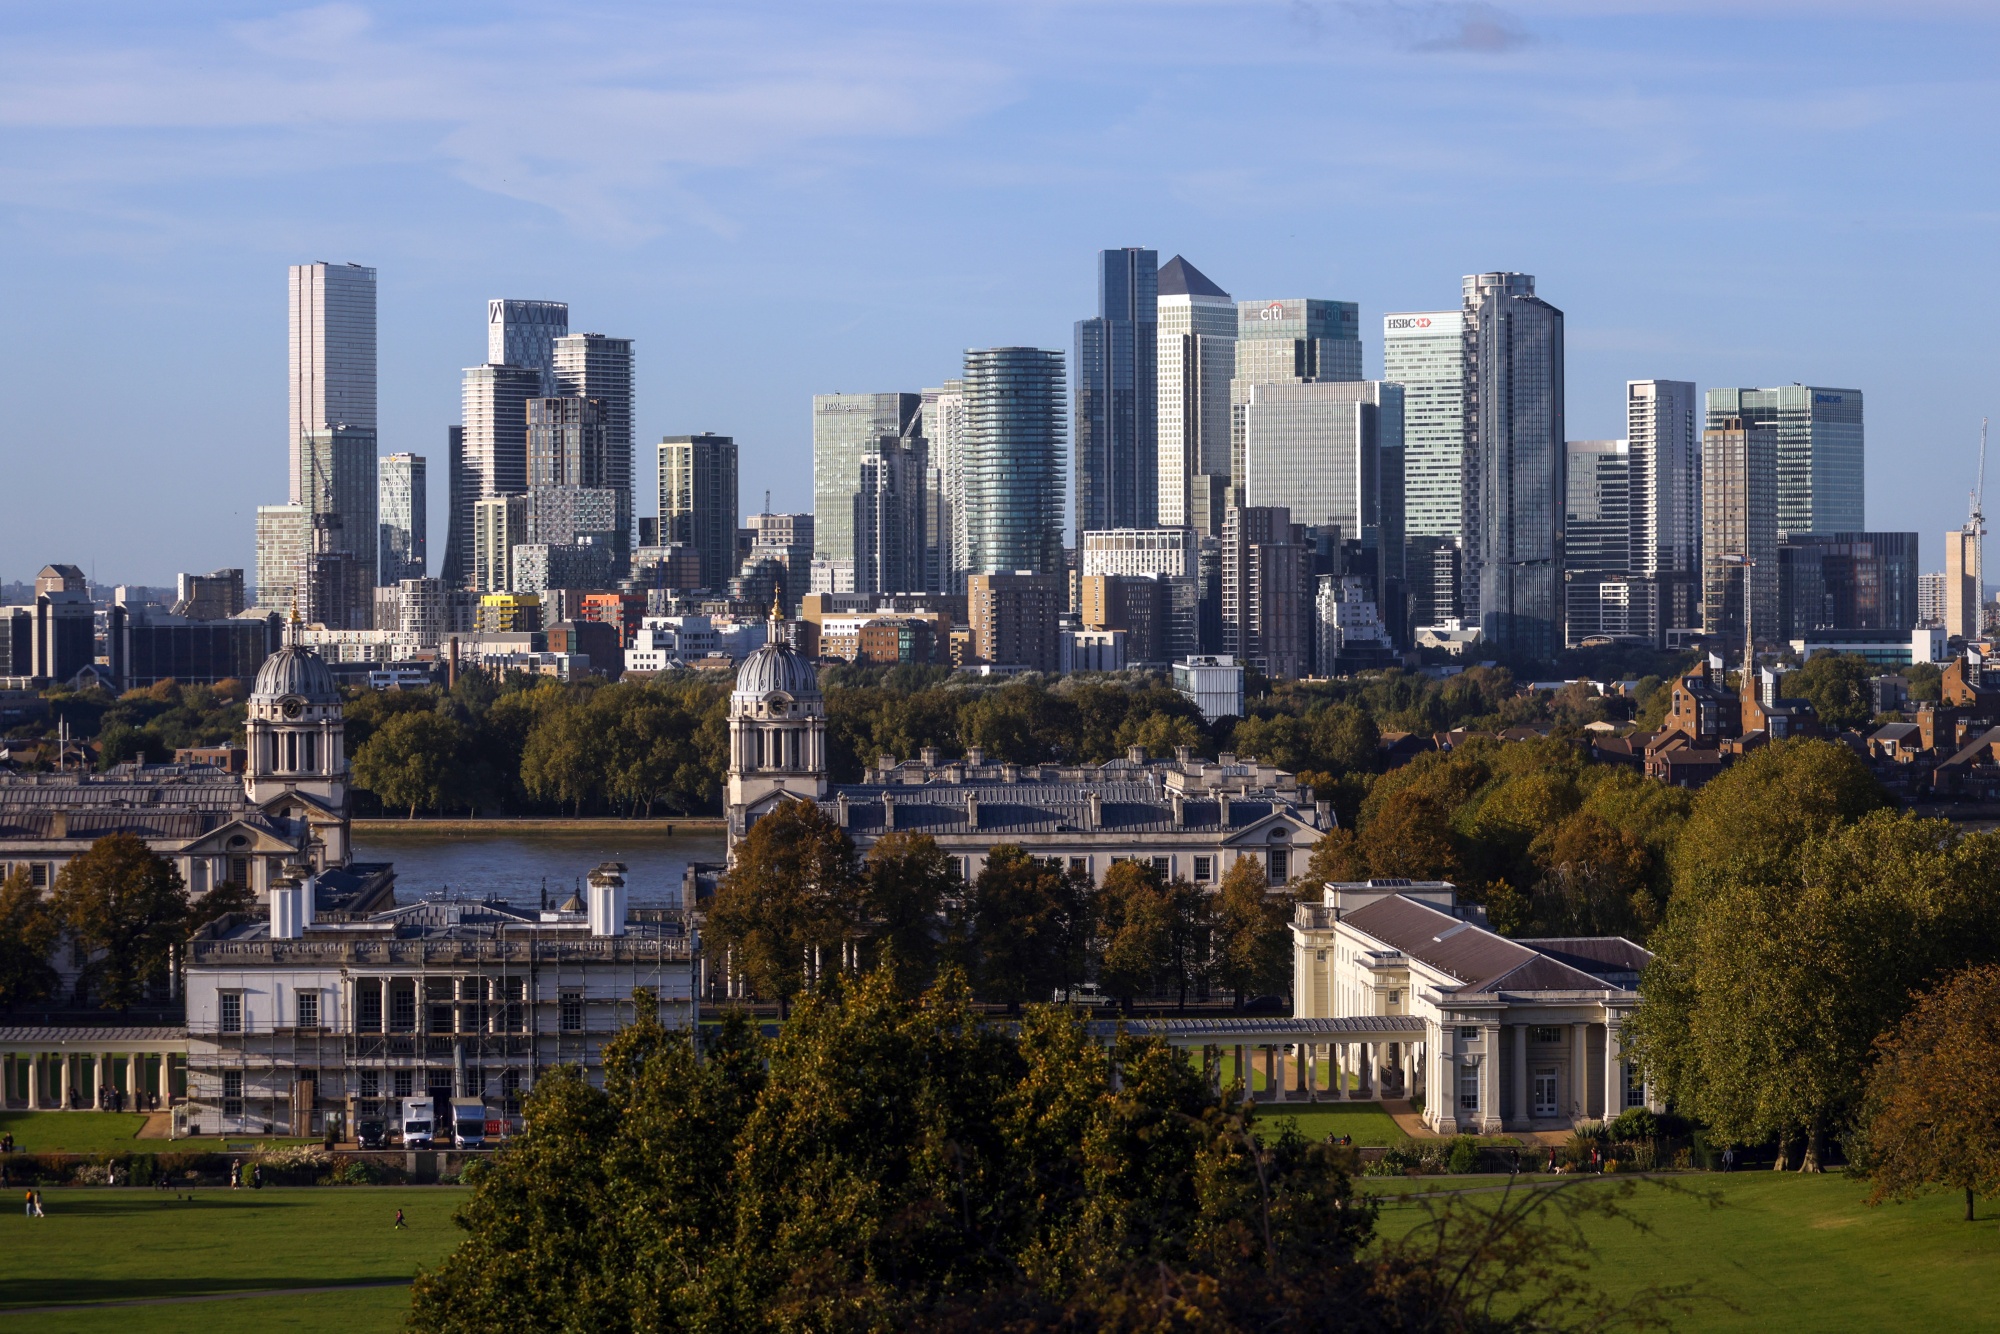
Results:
[1507, 1035]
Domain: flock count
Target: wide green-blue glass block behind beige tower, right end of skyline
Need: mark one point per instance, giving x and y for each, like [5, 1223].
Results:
[1821, 451]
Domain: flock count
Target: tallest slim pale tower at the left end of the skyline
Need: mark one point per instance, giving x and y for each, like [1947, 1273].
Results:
[333, 359]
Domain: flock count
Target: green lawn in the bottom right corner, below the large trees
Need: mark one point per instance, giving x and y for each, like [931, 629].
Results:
[1791, 1253]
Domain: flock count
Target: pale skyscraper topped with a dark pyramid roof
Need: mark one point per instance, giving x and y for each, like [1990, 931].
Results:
[1197, 361]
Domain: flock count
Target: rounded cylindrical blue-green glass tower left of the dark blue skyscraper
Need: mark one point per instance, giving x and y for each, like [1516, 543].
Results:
[1013, 461]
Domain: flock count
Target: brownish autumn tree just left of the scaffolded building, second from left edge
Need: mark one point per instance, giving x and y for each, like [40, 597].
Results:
[129, 911]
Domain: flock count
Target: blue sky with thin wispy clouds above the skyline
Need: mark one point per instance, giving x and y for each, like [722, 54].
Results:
[789, 199]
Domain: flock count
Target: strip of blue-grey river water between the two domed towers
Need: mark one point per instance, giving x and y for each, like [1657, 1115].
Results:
[517, 867]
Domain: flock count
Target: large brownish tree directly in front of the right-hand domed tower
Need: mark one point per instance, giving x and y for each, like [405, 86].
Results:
[791, 897]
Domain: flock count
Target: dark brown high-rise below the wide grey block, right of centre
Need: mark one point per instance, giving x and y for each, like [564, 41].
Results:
[1265, 591]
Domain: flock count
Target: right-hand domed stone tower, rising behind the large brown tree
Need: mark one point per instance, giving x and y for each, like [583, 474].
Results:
[777, 733]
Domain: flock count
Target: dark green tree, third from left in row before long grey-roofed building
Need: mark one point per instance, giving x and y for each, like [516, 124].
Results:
[1031, 927]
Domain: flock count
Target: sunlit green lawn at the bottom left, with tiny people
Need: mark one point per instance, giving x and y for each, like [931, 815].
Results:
[121, 1245]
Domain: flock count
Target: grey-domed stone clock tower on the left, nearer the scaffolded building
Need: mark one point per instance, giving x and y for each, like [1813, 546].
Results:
[295, 733]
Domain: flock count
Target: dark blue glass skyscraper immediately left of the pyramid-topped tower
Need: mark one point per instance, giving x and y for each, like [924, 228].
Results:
[1119, 397]
